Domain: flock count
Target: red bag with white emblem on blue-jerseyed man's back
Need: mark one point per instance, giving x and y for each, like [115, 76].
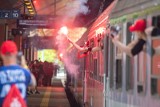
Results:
[14, 98]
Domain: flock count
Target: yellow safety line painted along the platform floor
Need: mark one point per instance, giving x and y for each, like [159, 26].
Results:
[46, 98]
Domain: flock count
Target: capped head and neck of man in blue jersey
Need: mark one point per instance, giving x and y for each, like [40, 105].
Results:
[8, 51]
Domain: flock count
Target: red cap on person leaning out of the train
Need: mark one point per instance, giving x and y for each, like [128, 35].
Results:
[140, 25]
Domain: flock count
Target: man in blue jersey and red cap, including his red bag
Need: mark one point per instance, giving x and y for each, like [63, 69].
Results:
[13, 87]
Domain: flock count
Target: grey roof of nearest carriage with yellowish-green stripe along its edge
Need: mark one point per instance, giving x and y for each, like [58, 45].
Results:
[129, 9]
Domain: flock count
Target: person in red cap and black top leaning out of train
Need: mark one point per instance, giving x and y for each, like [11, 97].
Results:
[137, 45]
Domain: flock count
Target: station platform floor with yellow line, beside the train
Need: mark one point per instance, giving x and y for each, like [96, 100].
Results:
[54, 96]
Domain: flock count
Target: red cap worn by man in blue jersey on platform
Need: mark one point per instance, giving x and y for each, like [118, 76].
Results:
[8, 47]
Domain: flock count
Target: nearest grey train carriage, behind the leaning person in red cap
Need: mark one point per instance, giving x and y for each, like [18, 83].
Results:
[134, 81]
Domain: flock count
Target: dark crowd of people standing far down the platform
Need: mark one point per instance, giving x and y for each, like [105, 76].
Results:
[43, 72]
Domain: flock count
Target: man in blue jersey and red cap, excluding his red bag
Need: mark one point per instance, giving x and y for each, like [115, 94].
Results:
[11, 73]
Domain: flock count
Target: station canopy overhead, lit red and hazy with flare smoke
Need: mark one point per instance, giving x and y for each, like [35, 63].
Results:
[77, 15]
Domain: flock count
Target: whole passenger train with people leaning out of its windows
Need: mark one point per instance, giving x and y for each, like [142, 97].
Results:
[110, 78]
